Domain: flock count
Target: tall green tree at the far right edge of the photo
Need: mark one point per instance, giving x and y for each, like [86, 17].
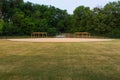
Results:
[112, 10]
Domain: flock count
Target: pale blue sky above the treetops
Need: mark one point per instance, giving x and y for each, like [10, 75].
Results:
[70, 5]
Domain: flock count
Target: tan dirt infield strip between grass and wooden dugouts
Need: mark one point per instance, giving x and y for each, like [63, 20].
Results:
[59, 40]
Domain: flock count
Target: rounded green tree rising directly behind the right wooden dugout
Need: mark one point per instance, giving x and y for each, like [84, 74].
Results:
[82, 16]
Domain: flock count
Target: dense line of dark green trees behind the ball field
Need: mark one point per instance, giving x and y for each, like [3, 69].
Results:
[22, 18]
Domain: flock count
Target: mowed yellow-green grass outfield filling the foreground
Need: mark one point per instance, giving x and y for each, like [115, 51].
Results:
[60, 61]
